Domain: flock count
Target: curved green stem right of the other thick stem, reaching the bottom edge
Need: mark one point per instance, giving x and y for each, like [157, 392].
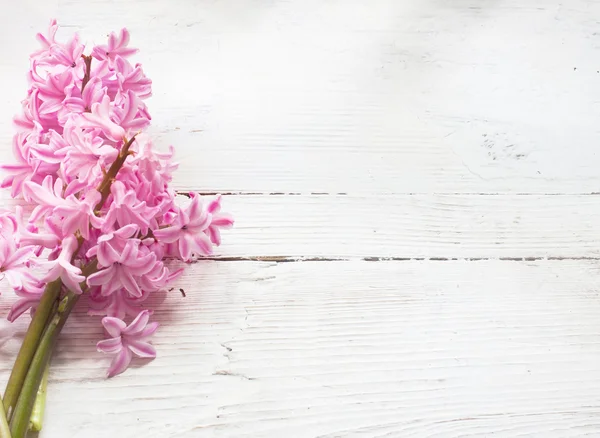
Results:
[22, 413]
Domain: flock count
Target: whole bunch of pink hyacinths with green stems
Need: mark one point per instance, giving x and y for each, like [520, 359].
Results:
[97, 215]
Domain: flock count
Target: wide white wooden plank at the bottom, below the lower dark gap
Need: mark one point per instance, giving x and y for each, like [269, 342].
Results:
[327, 349]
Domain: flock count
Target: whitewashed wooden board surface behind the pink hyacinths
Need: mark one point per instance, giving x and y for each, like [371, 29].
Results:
[415, 184]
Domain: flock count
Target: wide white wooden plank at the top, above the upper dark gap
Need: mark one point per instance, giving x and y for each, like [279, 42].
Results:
[388, 96]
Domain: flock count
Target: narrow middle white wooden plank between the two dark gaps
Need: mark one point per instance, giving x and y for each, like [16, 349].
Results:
[409, 226]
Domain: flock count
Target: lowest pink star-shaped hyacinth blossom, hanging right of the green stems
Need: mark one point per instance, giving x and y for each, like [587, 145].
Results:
[127, 340]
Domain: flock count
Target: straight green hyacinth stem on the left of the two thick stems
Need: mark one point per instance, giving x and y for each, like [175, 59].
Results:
[29, 346]
